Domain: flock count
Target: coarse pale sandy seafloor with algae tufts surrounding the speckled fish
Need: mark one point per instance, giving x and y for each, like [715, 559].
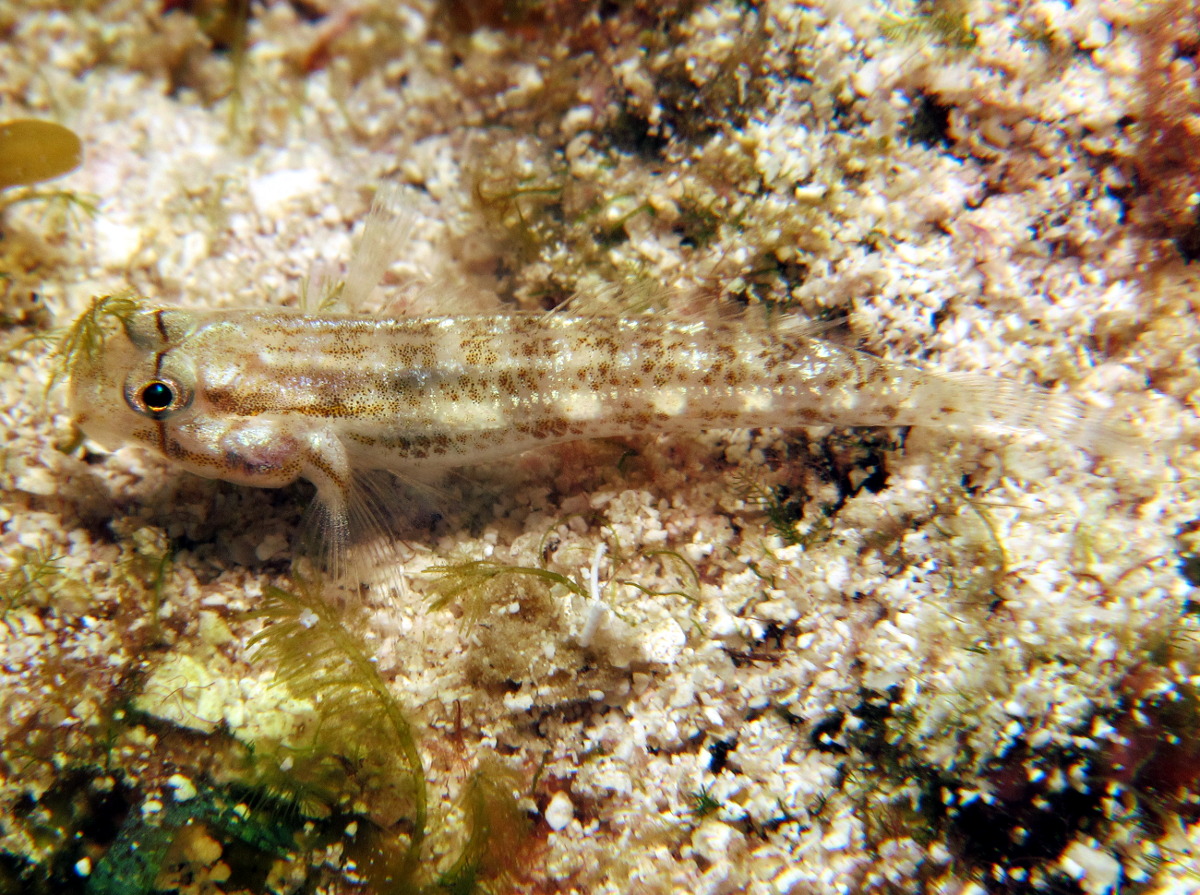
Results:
[909, 660]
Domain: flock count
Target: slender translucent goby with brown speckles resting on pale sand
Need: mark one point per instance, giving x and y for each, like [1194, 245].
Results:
[265, 398]
